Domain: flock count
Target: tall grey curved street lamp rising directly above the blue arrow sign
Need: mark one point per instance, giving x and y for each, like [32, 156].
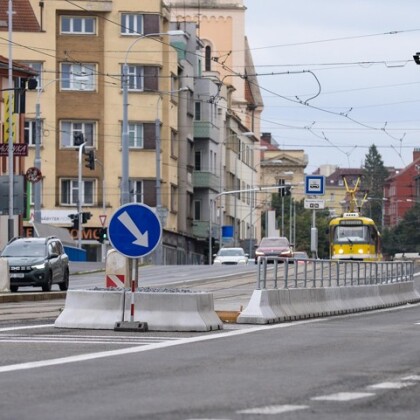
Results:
[125, 195]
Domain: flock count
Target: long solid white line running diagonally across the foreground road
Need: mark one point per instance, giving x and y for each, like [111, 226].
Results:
[154, 346]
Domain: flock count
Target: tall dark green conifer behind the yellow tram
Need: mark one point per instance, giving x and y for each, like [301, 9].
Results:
[374, 175]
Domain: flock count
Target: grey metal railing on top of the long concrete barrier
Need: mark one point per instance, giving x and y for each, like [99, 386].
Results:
[295, 273]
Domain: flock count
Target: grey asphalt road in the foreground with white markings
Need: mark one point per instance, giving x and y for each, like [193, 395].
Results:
[364, 366]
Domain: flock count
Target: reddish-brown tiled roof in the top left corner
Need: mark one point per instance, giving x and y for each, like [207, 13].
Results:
[24, 19]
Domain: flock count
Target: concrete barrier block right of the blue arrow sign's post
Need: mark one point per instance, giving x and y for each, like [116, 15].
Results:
[174, 311]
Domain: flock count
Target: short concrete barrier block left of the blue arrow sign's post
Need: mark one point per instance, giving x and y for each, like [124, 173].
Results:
[91, 309]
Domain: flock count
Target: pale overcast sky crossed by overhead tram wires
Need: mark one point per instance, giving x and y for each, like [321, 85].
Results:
[339, 76]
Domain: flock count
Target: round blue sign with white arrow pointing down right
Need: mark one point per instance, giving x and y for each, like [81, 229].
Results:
[134, 230]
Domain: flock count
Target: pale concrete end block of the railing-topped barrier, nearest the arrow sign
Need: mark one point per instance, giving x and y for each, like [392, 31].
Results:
[258, 310]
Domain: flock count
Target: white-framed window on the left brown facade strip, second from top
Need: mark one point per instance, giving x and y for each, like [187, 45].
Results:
[77, 77]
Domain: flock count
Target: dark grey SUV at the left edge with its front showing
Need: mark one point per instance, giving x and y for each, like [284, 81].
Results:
[38, 262]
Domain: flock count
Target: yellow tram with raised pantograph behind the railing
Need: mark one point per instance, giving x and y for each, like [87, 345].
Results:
[354, 237]
